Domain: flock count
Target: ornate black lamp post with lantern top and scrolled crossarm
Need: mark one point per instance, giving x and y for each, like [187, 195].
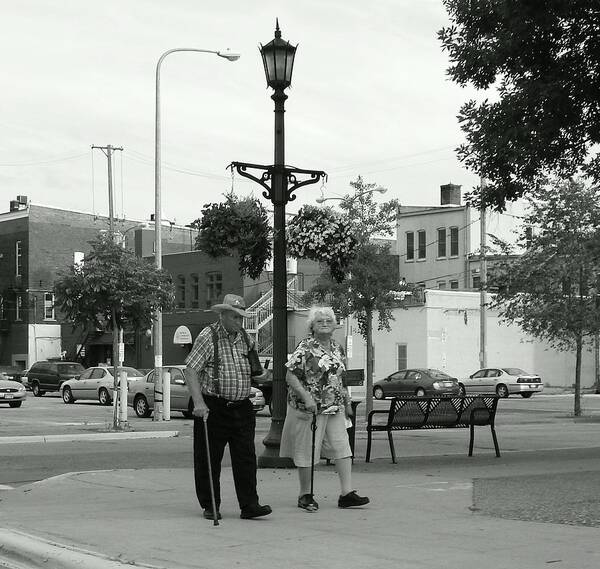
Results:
[280, 182]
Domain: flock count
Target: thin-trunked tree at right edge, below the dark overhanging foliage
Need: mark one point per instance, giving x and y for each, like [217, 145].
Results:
[551, 291]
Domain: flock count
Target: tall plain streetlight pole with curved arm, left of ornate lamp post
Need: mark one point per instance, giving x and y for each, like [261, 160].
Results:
[157, 329]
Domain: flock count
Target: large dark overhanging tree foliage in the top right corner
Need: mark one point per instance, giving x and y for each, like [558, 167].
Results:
[542, 60]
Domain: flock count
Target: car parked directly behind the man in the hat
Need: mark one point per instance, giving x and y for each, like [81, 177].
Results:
[140, 395]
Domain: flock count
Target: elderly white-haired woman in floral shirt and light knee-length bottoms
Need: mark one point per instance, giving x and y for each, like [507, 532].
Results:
[314, 379]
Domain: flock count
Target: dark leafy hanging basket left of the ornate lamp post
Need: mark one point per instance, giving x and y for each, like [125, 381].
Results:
[239, 225]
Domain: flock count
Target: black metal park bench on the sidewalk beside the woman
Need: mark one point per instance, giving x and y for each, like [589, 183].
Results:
[408, 413]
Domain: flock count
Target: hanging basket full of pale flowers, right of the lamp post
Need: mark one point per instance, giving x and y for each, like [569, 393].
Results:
[322, 235]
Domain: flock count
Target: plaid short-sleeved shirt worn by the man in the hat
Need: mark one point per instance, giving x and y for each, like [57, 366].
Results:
[233, 382]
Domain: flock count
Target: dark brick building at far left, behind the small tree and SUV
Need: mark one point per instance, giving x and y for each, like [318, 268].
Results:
[37, 243]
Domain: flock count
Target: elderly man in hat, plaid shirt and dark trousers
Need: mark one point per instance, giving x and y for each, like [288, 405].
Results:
[220, 390]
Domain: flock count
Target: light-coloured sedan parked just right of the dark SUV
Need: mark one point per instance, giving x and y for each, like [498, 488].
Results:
[95, 383]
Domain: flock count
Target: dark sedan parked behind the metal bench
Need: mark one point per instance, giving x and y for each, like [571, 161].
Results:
[419, 382]
